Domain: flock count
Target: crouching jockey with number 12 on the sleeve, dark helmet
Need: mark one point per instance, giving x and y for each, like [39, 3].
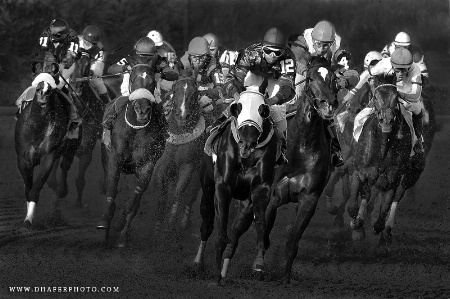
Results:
[261, 64]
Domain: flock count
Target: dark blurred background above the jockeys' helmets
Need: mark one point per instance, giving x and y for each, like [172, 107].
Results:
[365, 25]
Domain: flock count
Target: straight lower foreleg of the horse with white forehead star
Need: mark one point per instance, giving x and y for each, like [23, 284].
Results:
[307, 207]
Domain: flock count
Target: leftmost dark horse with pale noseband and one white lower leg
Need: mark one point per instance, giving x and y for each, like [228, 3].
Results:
[40, 135]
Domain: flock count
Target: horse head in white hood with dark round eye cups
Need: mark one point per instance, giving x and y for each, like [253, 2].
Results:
[250, 112]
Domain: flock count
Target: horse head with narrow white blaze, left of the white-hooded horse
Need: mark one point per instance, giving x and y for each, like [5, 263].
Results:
[186, 106]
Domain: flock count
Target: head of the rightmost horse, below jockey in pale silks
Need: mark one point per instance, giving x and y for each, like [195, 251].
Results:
[385, 101]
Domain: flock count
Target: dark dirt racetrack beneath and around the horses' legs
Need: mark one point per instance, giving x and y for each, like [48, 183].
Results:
[329, 263]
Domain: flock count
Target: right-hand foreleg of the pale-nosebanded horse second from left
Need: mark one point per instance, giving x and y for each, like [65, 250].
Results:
[144, 175]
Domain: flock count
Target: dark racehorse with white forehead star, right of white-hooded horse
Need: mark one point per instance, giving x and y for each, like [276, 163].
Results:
[308, 151]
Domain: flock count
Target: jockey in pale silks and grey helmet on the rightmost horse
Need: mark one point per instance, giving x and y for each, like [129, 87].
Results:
[409, 86]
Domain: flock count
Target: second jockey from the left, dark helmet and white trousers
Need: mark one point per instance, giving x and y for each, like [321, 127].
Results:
[90, 43]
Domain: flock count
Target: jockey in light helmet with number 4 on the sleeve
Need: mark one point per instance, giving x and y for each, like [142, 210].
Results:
[323, 41]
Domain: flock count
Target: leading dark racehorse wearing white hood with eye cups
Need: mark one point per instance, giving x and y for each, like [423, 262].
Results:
[246, 158]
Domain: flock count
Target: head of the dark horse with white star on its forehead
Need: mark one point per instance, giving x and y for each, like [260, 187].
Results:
[320, 86]
